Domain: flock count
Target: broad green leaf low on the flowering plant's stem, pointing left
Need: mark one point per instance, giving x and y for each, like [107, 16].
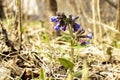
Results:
[66, 63]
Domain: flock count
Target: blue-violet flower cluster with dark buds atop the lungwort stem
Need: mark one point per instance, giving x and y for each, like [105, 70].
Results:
[62, 22]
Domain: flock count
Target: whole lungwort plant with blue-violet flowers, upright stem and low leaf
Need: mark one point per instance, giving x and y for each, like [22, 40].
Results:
[76, 33]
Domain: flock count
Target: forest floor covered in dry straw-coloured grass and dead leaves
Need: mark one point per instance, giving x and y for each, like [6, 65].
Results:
[40, 51]
